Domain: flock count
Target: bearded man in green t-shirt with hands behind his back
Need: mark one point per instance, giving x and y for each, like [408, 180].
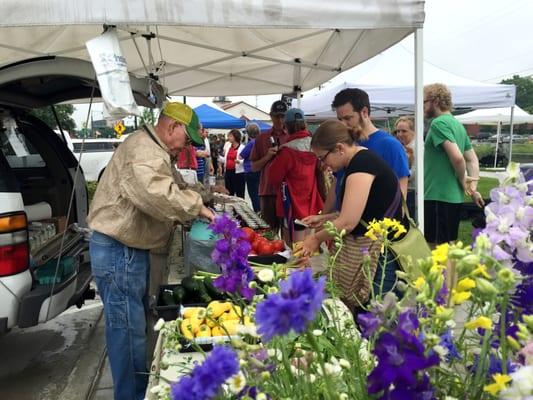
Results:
[451, 167]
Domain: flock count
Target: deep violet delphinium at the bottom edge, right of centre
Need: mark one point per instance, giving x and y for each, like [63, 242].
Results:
[401, 362]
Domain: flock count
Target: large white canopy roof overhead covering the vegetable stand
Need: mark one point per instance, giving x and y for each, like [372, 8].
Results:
[205, 47]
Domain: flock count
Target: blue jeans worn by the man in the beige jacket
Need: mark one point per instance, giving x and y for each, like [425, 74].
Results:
[121, 274]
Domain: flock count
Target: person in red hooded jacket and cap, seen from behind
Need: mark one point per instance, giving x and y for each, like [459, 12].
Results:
[295, 171]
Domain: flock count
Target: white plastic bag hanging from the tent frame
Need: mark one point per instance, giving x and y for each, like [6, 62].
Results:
[112, 74]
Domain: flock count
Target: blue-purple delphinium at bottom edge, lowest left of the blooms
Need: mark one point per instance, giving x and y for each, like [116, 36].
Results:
[206, 379]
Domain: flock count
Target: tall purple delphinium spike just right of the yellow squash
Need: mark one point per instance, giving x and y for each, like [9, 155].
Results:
[231, 254]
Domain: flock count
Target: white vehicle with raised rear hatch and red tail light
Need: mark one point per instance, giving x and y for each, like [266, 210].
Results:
[44, 260]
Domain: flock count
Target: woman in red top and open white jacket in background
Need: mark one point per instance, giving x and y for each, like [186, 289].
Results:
[234, 178]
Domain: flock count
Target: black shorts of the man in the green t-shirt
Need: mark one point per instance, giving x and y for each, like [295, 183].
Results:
[441, 221]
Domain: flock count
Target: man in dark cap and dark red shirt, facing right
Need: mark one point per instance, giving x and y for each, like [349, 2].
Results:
[265, 149]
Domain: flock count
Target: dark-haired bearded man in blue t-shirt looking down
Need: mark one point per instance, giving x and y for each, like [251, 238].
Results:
[353, 110]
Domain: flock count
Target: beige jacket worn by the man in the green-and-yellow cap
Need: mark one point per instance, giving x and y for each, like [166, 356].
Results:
[137, 201]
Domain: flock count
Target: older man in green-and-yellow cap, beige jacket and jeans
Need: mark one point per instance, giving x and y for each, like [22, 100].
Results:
[133, 211]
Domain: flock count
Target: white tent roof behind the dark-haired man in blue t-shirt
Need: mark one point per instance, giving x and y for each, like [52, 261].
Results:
[392, 93]
